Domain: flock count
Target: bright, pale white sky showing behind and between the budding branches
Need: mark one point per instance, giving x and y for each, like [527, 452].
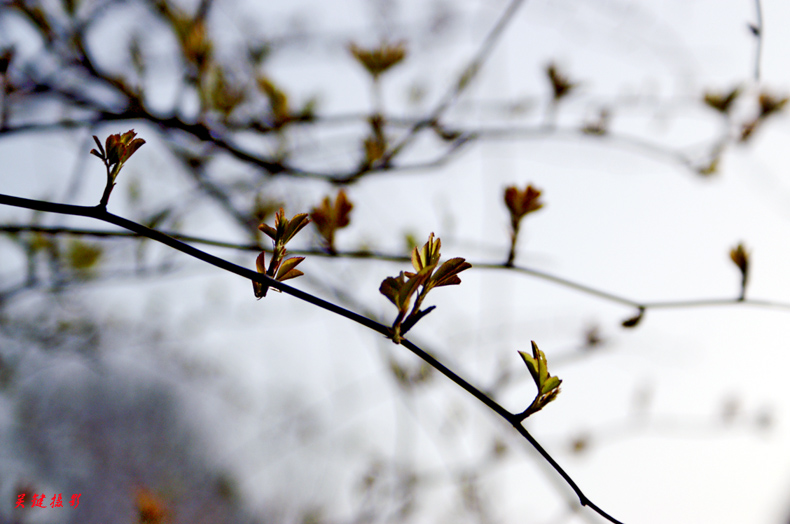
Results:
[615, 219]
